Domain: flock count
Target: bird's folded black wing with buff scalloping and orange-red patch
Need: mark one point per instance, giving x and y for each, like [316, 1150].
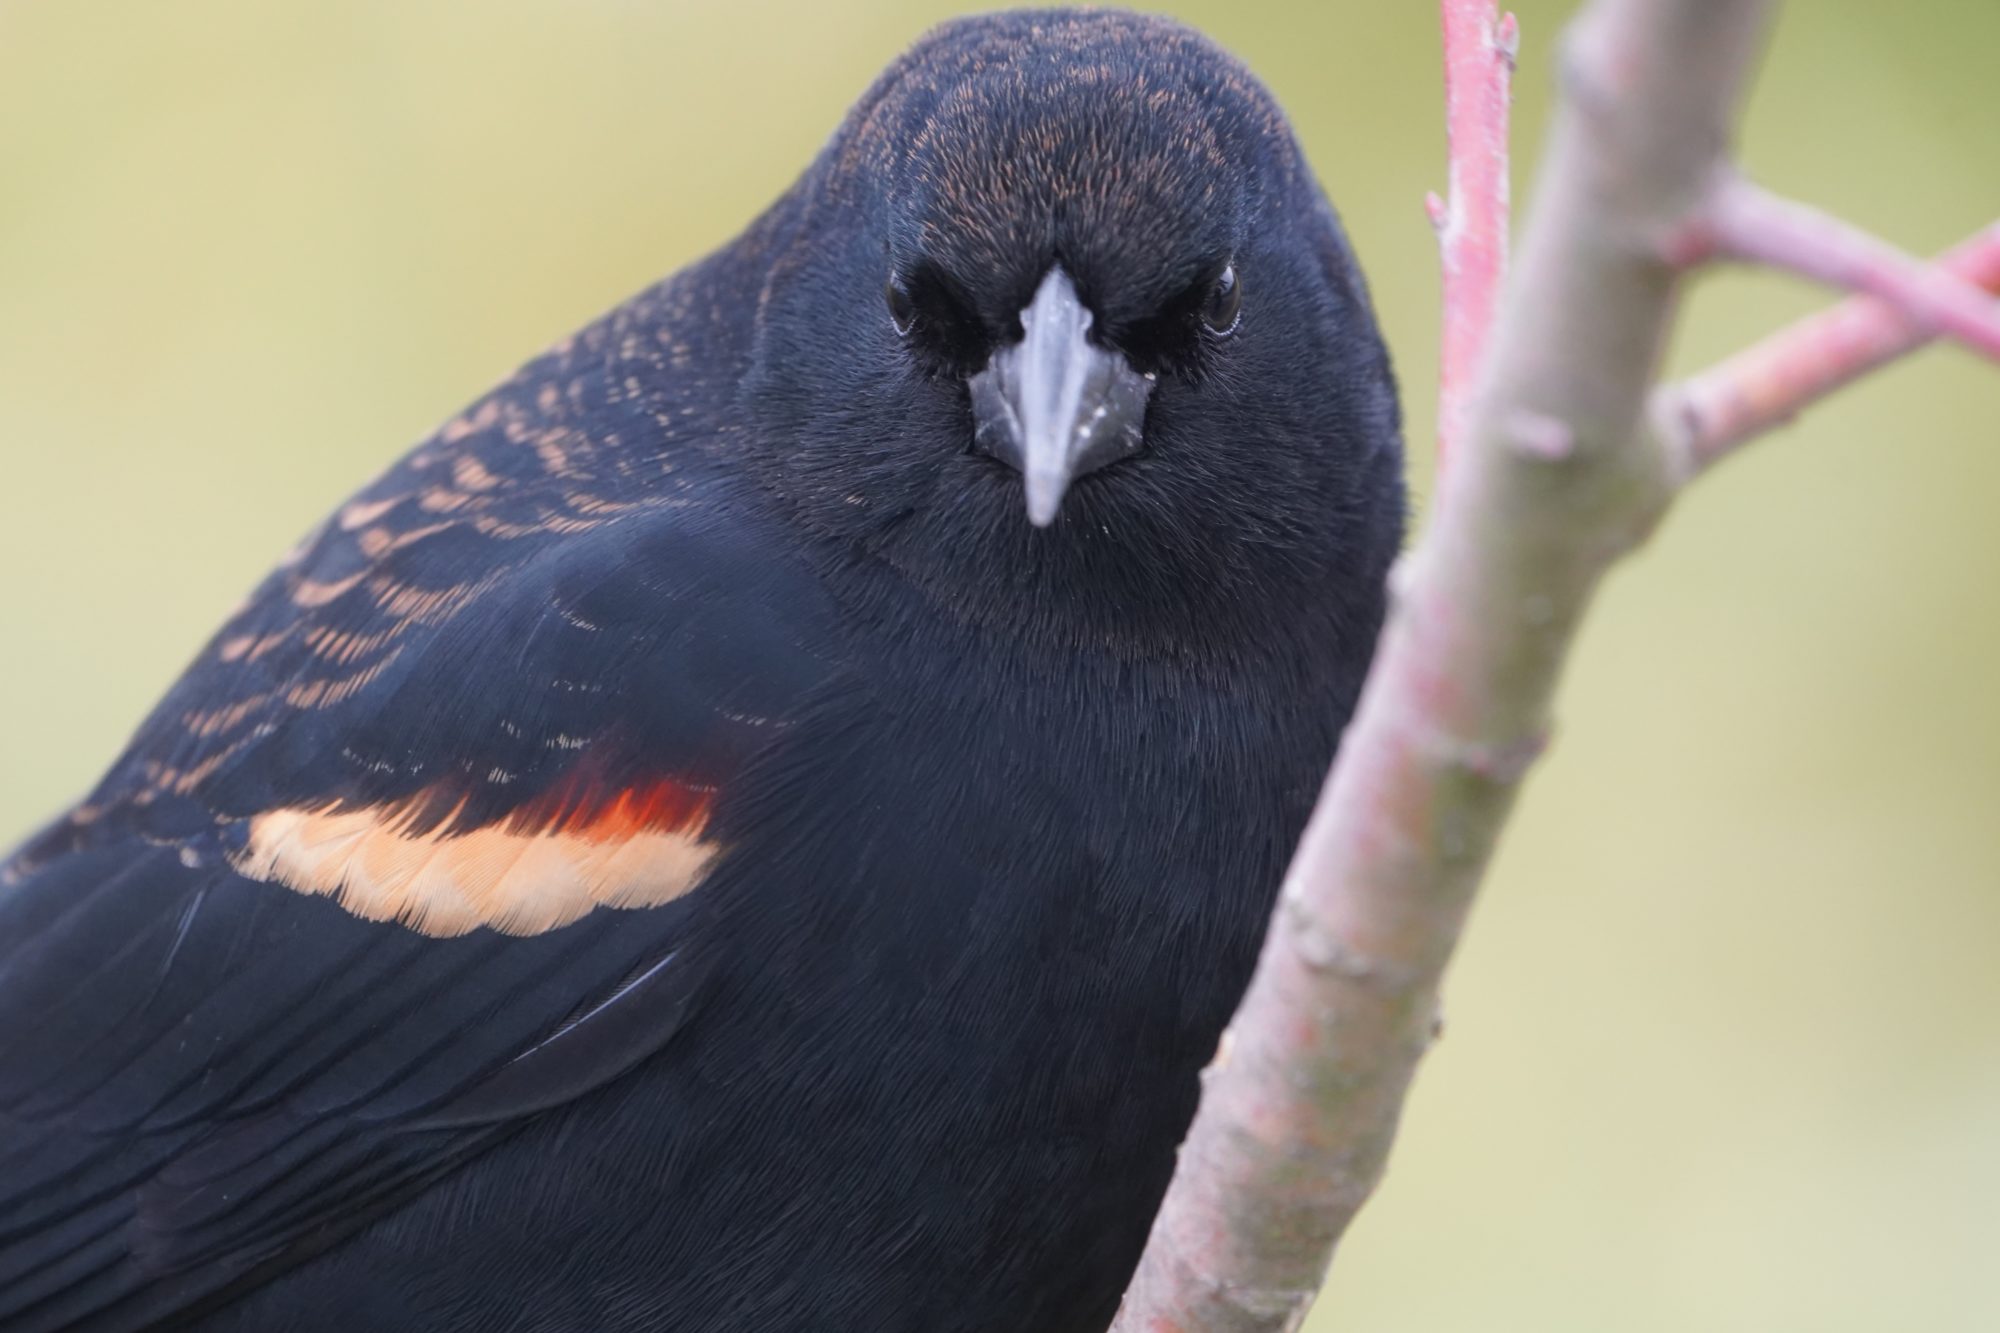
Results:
[401, 862]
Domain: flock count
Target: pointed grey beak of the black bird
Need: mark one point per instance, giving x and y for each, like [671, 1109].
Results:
[1055, 405]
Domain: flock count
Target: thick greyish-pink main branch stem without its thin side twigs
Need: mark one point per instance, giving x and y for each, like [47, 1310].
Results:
[1551, 485]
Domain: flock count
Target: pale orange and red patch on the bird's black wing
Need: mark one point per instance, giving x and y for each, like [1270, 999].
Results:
[539, 870]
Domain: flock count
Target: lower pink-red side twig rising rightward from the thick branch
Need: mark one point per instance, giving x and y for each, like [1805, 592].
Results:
[1709, 415]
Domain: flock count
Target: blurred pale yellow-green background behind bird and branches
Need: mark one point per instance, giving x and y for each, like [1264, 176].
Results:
[1725, 1042]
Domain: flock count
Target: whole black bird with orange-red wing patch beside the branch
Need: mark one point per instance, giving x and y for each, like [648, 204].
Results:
[691, 848]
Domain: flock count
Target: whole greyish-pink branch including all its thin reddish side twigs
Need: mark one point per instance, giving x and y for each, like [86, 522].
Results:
[1555, 477]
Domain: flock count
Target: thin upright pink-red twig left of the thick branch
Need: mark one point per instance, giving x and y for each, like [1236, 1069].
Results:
[1473, 227]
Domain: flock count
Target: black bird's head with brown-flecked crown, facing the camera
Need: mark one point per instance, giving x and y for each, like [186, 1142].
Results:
[1063, 307]
